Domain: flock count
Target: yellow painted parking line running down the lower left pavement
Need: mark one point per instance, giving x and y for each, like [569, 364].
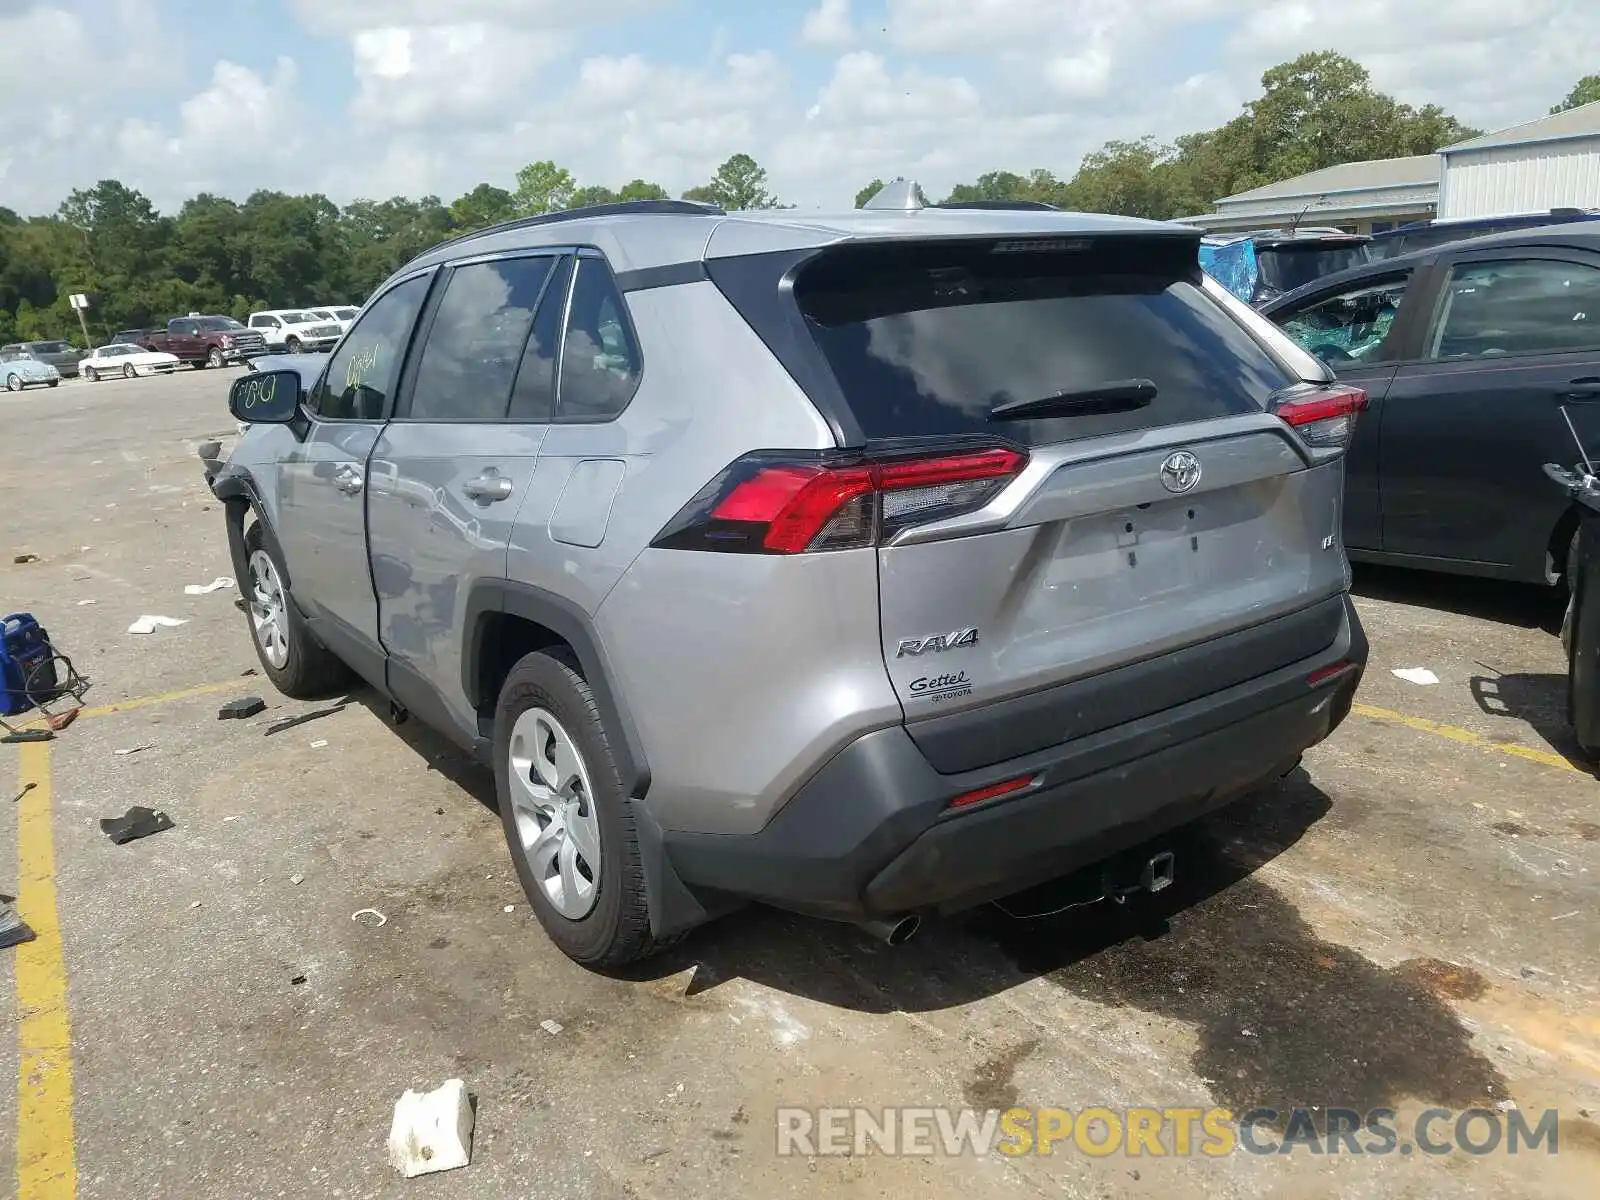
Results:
[46, 1151]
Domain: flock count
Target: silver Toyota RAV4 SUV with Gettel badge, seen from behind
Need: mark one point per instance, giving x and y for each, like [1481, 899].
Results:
[866, 566]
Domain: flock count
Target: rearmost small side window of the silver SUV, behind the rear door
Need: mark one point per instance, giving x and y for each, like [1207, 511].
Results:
[599, 356]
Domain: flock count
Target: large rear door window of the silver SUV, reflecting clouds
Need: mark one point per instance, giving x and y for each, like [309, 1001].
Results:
[476, 340]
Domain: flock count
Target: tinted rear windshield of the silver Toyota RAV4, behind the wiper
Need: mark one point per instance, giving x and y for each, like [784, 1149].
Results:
[927, 340]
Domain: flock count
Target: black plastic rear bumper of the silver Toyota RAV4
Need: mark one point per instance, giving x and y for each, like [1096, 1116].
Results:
[871, 834]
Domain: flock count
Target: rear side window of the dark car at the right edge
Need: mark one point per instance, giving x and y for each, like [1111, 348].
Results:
[1518, 306]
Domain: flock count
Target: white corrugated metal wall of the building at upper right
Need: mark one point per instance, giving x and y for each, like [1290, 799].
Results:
[1527, 178]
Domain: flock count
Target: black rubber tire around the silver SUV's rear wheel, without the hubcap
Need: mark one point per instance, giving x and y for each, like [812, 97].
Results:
[617, 930]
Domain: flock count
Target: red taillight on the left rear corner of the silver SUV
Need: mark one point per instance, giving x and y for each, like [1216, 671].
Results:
[799, 503]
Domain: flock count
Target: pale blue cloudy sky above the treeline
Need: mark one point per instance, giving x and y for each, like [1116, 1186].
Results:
[372, 98]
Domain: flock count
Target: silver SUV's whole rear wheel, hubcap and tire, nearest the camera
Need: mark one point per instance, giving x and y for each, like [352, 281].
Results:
[567, 822]
